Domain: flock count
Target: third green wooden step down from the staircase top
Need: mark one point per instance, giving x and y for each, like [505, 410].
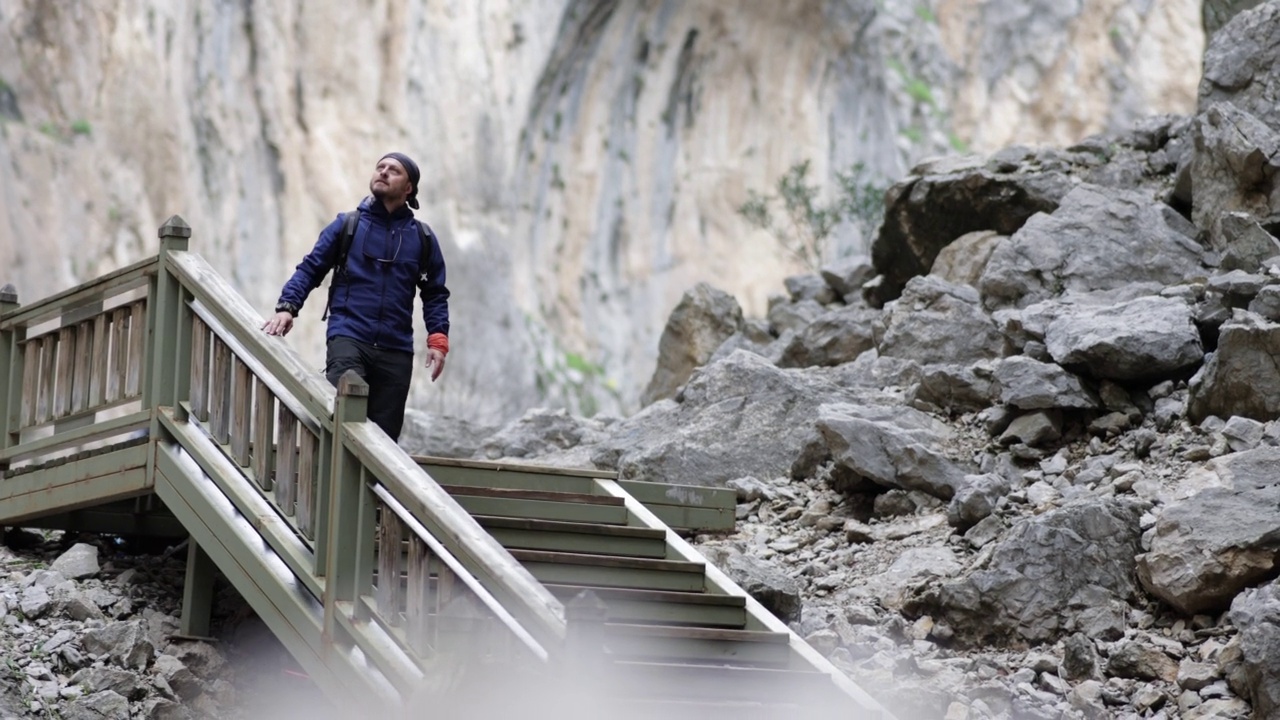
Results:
[528, 534]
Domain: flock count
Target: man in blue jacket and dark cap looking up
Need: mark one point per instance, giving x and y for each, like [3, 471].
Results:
[372, 315]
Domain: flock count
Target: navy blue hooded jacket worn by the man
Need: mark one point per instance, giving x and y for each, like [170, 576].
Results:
[373, 302]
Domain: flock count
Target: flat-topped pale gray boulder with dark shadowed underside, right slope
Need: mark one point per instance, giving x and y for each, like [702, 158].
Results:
[1149, 339]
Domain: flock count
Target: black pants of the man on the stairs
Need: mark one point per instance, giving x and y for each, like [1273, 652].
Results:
[388, 373]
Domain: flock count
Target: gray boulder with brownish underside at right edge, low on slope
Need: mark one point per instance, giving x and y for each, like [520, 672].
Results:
[1212, 546]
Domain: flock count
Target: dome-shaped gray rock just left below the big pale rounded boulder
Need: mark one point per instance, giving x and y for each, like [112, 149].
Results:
[938, 322]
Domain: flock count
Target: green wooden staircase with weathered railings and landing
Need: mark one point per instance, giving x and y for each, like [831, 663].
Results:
[150, 403]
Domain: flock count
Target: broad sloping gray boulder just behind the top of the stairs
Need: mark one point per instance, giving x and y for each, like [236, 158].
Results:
[738, 417]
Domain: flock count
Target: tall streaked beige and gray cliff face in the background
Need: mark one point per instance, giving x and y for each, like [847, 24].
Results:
[583, 161]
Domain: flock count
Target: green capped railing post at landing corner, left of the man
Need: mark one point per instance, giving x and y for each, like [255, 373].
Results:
[168, 377]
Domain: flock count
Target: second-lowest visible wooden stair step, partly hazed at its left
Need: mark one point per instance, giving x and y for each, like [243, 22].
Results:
[716, 646]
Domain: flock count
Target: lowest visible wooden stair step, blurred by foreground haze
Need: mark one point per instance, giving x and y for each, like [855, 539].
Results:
[675, 681]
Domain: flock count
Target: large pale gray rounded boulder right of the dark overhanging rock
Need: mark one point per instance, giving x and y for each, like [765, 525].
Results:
[1099, 239]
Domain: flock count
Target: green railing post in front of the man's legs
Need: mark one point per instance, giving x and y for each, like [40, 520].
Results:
[350, 543]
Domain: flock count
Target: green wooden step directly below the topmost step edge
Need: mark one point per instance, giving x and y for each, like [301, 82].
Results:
[541, 505]
